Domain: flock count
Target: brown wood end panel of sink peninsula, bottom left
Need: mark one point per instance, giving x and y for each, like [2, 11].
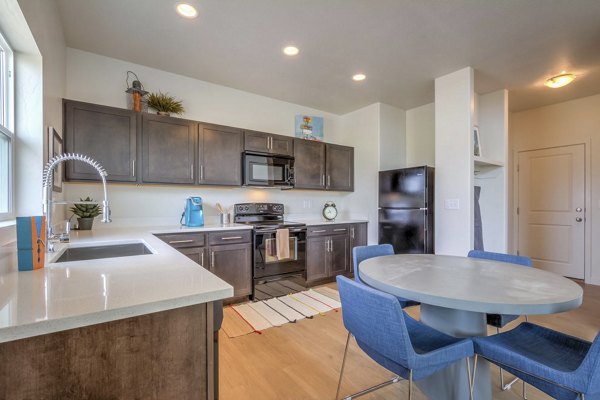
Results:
[163, 355]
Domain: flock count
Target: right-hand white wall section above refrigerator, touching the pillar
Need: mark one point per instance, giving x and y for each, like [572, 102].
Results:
[420, 136]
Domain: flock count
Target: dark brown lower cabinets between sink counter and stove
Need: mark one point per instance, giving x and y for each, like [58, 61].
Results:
[227, 254]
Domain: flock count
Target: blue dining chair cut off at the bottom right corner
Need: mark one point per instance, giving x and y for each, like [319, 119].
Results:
[562, 366]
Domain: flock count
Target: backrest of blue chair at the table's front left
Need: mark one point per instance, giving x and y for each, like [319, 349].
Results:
[375, 319]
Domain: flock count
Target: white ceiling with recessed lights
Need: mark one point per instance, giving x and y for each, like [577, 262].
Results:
[401, 45]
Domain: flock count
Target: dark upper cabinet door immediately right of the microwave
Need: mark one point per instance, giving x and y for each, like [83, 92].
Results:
[309, 167]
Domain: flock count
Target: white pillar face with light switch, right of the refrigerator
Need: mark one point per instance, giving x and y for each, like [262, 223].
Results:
[454, 102]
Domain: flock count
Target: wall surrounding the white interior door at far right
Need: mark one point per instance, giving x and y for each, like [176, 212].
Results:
[576, 121]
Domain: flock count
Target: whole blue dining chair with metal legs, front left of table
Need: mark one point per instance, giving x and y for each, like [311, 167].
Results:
[393, 339]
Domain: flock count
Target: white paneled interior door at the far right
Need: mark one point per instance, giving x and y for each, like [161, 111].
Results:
[551, 208]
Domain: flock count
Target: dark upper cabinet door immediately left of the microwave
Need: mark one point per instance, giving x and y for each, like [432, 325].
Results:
[220, 155]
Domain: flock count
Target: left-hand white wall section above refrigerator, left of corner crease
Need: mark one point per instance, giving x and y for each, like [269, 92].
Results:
[392, 137]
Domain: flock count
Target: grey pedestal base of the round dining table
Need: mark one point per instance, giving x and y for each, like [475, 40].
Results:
[451, 383]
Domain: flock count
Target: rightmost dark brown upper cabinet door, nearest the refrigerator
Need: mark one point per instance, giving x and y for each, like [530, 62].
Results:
[340, 168]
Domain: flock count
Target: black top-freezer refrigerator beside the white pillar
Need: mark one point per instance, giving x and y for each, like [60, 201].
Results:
[406, 209]
